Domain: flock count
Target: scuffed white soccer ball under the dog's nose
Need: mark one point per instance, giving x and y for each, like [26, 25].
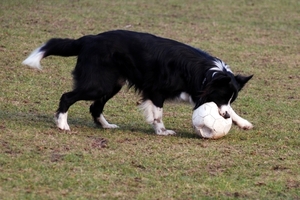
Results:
[208, 123]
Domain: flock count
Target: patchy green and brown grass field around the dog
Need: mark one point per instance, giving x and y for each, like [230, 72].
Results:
[38, 161]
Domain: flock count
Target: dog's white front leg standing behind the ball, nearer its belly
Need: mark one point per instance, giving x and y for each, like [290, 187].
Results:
[153, 116]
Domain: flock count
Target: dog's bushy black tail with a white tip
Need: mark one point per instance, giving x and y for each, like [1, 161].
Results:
[56, 47]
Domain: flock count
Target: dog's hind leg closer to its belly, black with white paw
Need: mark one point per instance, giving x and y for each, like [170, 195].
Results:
[96, 110]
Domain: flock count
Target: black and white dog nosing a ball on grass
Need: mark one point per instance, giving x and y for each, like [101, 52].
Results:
[158, 68]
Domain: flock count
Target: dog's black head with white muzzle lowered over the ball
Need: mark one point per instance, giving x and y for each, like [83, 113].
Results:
[222, 89]
